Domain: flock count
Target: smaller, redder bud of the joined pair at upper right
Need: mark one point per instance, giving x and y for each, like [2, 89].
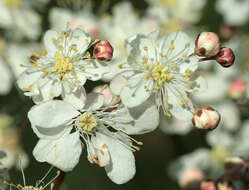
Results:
[225, 57]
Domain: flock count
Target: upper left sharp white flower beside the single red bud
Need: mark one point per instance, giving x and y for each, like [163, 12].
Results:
[62, 69]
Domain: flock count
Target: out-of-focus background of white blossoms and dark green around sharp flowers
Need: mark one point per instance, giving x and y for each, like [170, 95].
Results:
[174, 155]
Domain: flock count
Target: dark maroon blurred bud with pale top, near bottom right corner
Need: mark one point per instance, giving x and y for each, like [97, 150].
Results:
[235, 167]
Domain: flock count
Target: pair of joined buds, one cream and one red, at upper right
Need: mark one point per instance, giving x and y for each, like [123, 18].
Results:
[208, 46]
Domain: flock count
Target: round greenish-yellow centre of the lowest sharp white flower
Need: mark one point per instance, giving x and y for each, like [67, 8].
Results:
[87, 122]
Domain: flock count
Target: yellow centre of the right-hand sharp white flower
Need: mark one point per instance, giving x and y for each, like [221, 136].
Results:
[160, 74]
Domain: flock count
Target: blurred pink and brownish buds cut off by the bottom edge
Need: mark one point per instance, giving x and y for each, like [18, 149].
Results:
[216, 185]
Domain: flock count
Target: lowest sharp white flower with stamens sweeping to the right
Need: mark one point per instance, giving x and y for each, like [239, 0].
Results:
[103, 129]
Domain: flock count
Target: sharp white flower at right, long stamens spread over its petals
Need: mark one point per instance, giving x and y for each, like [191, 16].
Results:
[159, 67]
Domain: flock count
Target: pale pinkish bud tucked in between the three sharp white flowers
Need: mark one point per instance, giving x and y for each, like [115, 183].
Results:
[110, 98]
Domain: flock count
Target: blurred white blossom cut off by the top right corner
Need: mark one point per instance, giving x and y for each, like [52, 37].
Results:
[234, 12]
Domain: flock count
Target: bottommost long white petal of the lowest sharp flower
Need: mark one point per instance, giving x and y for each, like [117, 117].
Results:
[122, 167]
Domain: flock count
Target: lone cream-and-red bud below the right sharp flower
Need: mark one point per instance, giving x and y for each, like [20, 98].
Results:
[206, 118]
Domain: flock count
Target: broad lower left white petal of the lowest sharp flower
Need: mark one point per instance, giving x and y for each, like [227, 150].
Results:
[63, 153]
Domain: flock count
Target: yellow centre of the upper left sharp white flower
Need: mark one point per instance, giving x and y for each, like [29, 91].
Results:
[62, 65]
